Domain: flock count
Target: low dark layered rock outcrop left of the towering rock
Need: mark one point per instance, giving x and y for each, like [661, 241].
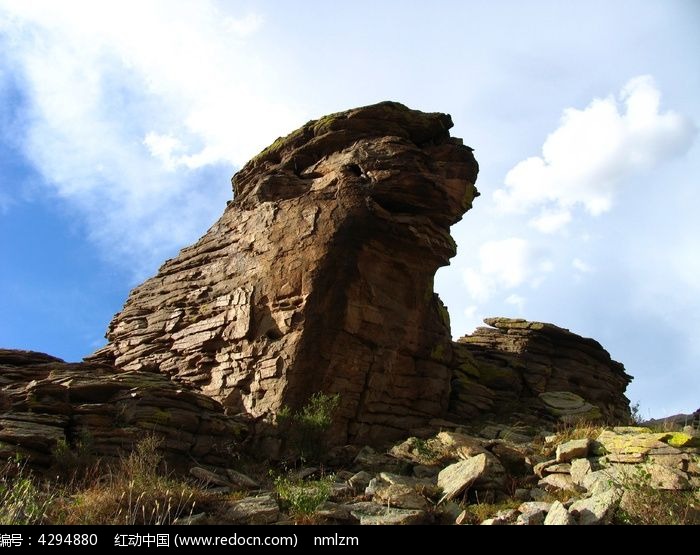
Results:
[46, 403]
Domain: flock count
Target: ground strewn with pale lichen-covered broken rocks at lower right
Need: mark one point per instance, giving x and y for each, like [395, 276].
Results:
[498, 476]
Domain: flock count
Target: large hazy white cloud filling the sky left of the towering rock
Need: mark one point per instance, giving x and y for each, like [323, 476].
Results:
[128, 103]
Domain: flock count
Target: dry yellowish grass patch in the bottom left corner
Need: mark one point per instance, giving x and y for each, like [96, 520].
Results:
[137, 490]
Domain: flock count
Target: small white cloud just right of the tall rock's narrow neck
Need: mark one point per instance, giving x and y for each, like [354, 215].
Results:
[505, 265]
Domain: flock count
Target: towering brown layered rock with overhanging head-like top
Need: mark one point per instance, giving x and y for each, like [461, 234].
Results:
[318, 277]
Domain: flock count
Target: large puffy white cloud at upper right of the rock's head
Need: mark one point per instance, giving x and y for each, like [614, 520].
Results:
[585, 160]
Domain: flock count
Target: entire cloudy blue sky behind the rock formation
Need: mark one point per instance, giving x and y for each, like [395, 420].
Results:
[121, 124]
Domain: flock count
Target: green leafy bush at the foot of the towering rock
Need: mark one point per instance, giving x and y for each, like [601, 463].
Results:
[307, 428]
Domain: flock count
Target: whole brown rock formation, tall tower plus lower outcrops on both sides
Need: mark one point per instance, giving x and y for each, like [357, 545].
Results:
[318, 277]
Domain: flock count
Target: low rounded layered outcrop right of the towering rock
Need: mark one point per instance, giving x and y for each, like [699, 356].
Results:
[531, 370]
